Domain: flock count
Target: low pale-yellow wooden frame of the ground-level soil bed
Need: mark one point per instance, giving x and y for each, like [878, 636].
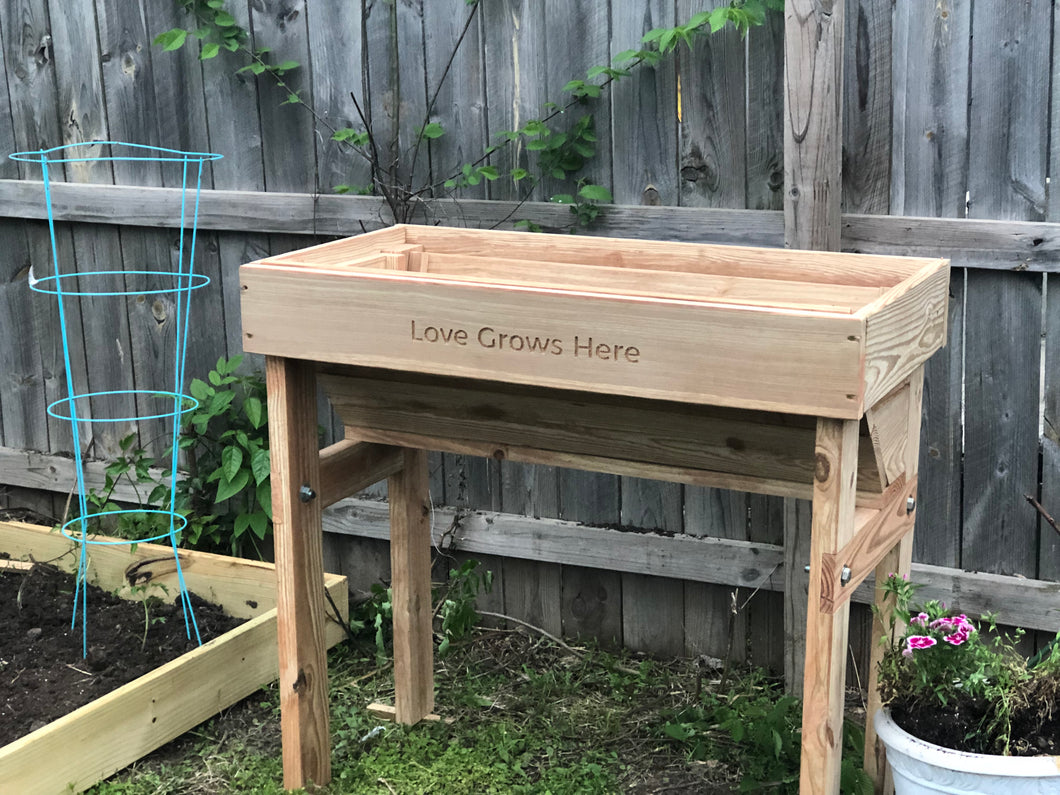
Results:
[99, 739]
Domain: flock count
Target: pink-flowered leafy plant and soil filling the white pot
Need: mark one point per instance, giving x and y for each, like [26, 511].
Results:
[958, 684]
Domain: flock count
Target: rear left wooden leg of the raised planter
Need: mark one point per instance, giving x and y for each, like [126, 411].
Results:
[411, 580]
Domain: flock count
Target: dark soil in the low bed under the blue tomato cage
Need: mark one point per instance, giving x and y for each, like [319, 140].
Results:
[43, 674]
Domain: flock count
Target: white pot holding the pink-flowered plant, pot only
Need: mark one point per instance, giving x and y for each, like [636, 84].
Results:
[918, 768]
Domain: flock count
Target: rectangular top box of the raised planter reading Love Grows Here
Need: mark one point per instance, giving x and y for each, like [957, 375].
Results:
[748, 328]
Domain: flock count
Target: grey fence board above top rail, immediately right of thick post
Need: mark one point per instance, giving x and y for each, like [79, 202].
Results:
[868, 103]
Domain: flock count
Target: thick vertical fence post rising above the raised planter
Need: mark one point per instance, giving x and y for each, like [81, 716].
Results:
[814, 122]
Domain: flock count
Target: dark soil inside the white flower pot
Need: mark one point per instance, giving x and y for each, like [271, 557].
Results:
[1036, 730]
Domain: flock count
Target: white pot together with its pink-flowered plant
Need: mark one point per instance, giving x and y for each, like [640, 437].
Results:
[965, 712]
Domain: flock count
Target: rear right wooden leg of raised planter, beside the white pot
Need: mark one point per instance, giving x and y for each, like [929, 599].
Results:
[898, 561]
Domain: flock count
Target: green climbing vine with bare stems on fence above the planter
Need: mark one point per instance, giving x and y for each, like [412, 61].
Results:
[558, 150]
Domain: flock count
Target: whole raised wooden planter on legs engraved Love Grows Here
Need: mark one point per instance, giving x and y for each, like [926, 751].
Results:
[799, 374]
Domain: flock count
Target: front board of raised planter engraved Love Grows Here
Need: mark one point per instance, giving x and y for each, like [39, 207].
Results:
[803, 364]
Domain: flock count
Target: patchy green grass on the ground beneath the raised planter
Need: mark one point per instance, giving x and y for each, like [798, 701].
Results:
[524, 716]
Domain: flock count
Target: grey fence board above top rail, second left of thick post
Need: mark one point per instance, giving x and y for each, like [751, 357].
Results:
[714, 119]
